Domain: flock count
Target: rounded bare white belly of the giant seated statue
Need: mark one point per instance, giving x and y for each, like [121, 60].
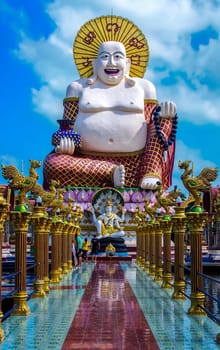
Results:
[111, 131]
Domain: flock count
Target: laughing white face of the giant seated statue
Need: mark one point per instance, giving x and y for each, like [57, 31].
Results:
[111, 64]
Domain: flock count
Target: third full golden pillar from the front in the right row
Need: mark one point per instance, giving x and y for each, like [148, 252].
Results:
[166, 226]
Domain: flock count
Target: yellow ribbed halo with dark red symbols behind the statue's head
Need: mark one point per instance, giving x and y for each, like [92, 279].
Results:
[110, 28]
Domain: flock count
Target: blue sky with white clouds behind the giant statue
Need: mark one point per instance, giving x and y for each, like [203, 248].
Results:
[37, 65]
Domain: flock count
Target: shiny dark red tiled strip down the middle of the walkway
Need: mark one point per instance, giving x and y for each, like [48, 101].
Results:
[109, 316]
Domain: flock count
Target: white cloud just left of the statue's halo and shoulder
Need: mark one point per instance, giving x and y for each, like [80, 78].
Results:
[51, 59]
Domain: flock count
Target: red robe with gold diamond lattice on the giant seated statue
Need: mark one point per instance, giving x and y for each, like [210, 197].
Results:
[96, 169]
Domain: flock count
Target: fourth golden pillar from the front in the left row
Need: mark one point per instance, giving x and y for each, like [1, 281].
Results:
[55, 231]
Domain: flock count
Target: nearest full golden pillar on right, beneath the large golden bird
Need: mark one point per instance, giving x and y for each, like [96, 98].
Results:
[196, 222]
